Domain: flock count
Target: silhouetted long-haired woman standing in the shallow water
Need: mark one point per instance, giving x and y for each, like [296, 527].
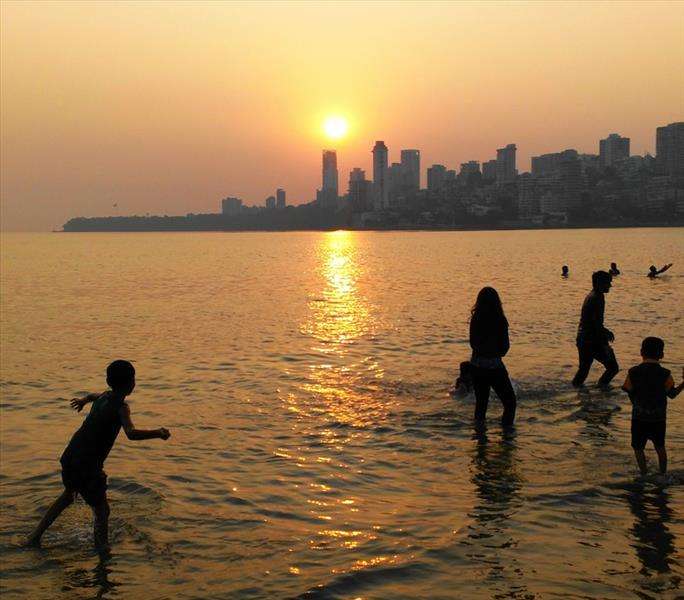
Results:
[490, 343]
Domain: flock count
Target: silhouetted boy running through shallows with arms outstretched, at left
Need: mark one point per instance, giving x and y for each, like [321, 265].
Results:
[84, 457]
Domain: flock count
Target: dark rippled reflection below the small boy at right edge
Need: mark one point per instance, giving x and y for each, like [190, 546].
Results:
[654, 542]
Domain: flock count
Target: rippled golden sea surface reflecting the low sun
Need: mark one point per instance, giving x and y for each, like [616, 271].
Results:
[315, 451]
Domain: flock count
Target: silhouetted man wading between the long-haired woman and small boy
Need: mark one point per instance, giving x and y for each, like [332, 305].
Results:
[593, 339]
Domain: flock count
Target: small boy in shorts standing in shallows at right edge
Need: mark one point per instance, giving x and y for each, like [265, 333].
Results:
[649, 386]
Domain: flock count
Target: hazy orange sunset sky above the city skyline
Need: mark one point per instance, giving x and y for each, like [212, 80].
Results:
[168, 107]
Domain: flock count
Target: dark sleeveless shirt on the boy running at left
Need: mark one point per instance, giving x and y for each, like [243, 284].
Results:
[90, 445]
